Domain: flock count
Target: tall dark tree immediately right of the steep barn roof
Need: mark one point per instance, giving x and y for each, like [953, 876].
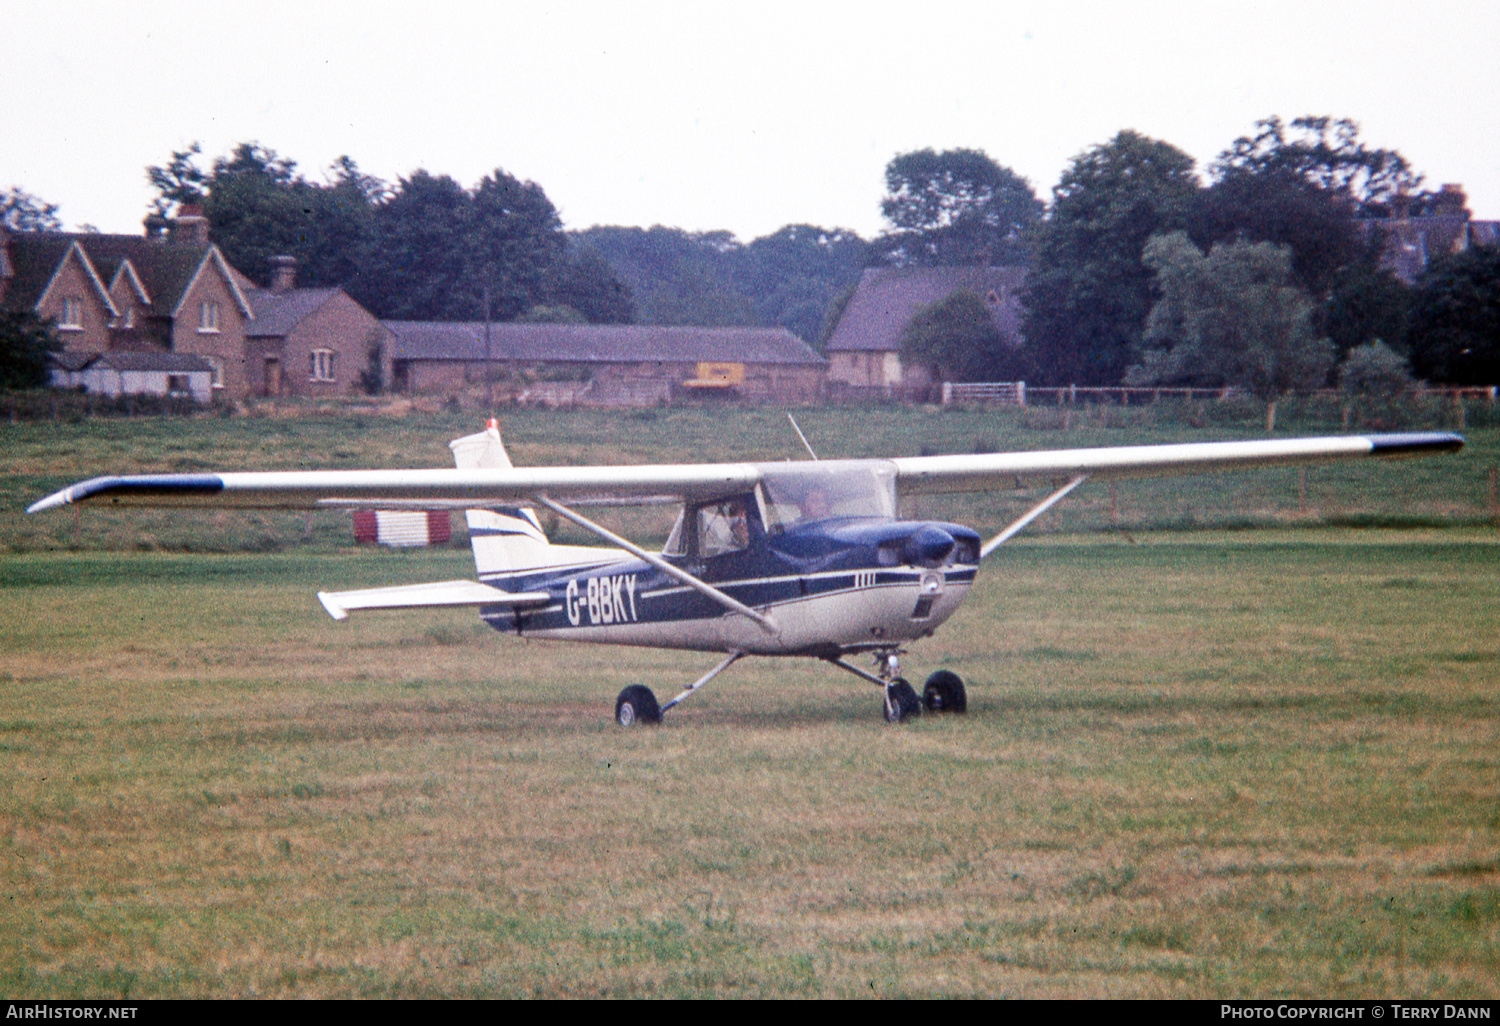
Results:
[1088, 292]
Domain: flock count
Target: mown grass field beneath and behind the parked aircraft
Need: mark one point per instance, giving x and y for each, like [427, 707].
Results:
[1214, 763]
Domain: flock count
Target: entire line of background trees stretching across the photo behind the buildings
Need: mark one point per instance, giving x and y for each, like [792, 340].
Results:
[1265, 274]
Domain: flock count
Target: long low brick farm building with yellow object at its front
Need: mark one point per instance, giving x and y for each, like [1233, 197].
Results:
[605, 365]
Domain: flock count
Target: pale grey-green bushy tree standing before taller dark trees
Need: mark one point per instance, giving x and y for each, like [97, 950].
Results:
[1231, 319]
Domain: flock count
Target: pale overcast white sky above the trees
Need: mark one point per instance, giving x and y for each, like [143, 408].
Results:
[719, 116]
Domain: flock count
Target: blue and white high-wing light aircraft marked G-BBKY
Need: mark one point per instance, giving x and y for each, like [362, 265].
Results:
[794, 559]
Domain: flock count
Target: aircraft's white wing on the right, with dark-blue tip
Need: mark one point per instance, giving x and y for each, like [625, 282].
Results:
[988, 472]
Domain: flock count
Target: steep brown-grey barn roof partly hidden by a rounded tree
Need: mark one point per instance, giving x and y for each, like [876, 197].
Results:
[887, 298]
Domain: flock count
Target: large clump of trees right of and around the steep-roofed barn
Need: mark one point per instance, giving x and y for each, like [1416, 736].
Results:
[1267, 277]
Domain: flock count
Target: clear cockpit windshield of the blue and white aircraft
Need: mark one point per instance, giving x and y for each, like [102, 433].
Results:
[815, 491]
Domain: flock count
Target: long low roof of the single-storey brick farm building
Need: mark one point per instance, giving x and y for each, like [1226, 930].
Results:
[598, 344]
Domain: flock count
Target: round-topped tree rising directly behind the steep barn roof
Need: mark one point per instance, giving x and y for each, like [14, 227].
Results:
[958, 208]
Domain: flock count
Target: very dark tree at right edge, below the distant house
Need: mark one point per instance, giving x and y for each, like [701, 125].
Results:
[1456, 319]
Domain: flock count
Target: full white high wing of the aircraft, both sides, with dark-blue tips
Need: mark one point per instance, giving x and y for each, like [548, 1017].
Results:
[583, 485]
